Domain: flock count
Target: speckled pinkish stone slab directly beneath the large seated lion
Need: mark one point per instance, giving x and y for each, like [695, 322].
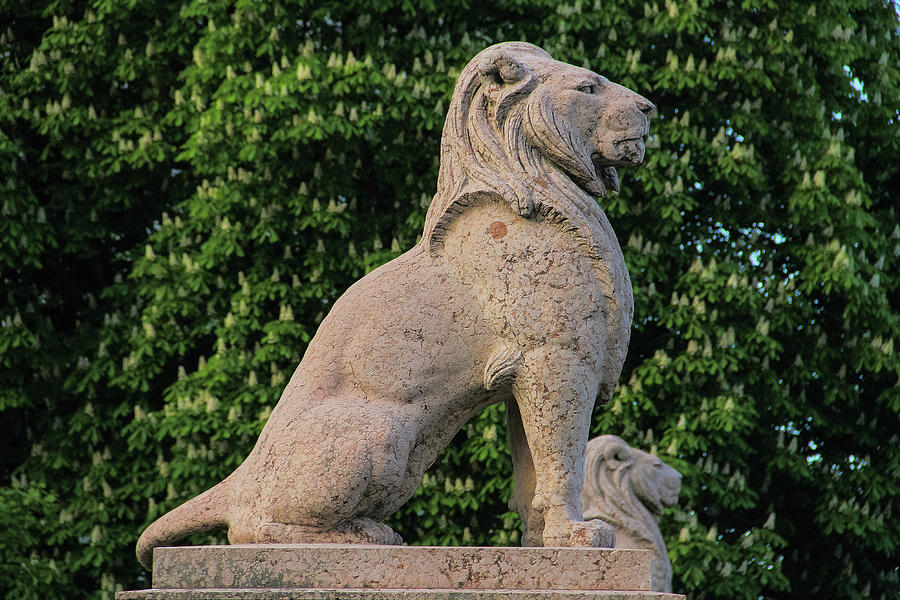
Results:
[346, 566]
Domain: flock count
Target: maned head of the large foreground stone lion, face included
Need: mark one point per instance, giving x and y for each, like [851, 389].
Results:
[540, 134]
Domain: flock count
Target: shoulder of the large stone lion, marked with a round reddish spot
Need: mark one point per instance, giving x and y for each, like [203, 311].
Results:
[534, 283]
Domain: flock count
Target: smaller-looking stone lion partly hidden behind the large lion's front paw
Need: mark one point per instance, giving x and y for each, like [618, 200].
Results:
[629, 489]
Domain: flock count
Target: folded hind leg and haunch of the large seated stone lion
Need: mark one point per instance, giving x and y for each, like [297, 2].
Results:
[329, 478]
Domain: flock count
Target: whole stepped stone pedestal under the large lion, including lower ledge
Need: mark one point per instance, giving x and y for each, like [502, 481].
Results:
[360, 572]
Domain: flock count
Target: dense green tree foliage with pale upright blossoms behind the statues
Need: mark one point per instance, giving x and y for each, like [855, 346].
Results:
[186, 188]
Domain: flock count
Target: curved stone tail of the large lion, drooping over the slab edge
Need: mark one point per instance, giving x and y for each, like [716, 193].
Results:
[203, 513]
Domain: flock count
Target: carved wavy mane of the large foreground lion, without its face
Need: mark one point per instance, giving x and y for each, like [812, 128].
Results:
[507, 145]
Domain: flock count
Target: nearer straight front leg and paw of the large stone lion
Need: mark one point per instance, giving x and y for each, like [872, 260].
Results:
[555, 390]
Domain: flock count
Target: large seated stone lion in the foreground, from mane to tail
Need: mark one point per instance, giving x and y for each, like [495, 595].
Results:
[516, 293]
